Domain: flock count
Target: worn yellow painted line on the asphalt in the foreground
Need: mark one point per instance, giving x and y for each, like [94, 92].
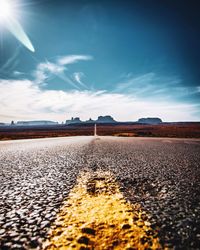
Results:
[96, 216]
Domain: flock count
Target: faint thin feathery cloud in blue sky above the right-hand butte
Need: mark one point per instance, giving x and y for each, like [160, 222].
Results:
[152, 85]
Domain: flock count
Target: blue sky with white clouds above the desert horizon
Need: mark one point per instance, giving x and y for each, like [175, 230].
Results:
[127, 59]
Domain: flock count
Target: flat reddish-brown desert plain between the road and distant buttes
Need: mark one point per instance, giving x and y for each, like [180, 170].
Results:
[179, 130]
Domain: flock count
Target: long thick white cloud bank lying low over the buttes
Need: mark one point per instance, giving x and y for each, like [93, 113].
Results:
[23, 99]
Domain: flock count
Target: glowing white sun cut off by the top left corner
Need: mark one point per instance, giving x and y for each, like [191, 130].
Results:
[6, 10]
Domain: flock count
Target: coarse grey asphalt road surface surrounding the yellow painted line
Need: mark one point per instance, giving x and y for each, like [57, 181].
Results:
[161, 176]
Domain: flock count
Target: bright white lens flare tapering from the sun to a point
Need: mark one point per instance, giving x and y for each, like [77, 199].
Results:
[9, 20]
